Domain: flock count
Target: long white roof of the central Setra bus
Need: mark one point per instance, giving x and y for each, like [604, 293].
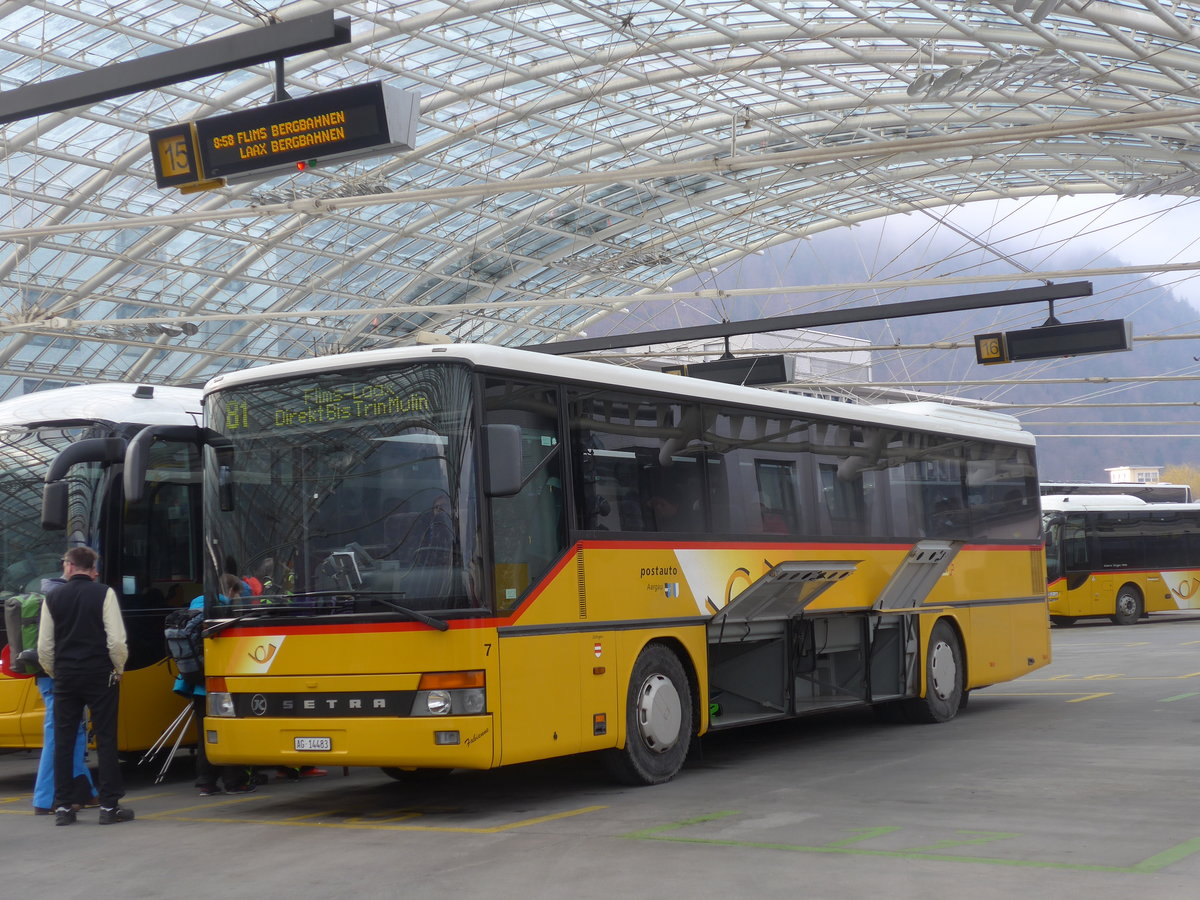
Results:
[926, 417]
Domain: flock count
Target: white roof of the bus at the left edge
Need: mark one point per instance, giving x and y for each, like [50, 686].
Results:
[117, 403]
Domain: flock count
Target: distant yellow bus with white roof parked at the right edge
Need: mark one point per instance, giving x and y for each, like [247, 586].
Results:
[1120, 557]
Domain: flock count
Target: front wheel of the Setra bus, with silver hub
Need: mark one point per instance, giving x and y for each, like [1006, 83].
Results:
[658, 721]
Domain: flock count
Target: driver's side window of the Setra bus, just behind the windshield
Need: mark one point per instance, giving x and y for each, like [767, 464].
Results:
[530, 527]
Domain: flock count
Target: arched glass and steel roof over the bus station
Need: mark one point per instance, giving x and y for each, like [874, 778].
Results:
[573, 158]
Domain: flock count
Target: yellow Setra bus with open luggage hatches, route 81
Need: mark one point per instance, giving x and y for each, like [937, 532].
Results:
[477, 556]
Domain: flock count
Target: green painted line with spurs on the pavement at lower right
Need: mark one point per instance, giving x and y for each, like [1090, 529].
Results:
[1151, 865]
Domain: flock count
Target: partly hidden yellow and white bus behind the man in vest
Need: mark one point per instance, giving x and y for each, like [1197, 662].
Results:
[61, 461]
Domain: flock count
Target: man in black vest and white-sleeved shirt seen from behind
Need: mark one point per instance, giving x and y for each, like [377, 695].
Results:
[81, 645]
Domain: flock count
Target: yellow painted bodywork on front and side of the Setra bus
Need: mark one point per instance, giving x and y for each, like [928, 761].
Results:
[562, 663]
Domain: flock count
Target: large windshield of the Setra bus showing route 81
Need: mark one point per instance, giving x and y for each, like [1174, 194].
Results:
[346, 493]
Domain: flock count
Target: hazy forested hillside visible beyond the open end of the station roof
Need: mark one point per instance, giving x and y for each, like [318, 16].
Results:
[865, 254]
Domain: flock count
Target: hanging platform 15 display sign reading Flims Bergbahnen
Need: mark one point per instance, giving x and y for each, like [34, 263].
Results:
[256, 145]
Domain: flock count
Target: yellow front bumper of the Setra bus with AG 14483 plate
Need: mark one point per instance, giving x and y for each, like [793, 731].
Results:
[445, 742]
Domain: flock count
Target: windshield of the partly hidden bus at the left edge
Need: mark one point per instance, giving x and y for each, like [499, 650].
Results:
[28, 554]
